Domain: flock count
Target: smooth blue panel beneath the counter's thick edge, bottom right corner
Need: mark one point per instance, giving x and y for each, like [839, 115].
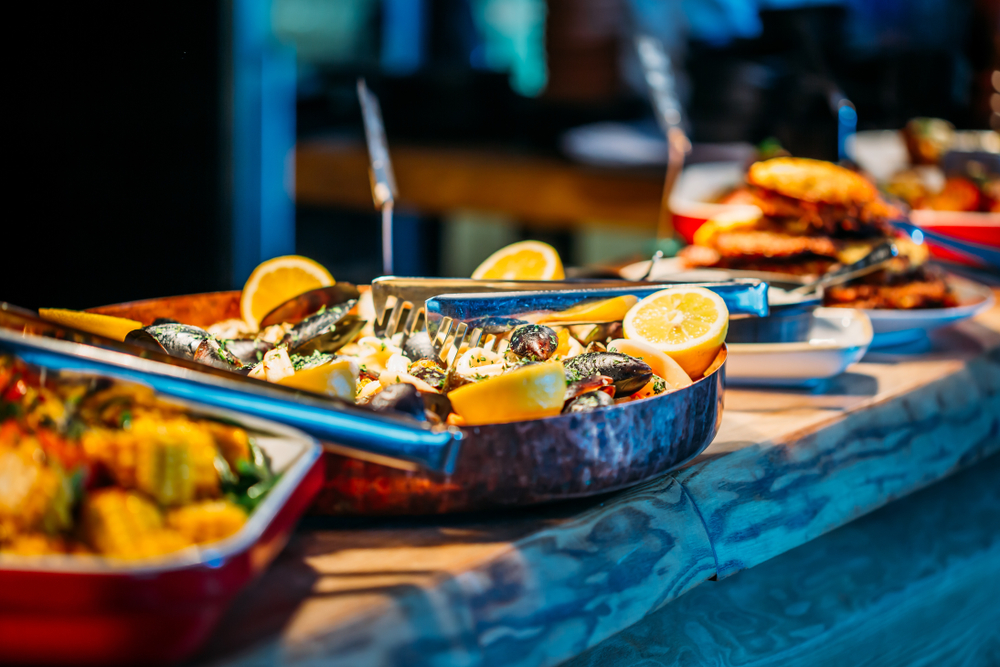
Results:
[915, 583]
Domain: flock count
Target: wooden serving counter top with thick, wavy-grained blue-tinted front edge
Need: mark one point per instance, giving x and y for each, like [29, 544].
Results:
[541, 585]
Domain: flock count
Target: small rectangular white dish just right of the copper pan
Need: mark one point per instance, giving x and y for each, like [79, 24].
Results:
[838, 338]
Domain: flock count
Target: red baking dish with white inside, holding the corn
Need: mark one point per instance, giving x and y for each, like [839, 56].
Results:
[72, 609]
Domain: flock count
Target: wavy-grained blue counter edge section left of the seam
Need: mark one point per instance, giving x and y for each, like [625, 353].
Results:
[562, 589]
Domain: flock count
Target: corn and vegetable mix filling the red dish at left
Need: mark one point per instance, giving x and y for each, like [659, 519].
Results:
[93, 467]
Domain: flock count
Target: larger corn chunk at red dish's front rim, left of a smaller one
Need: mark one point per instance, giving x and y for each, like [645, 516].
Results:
[125, 524]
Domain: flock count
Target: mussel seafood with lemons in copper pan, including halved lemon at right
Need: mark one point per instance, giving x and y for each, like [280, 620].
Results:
[585, 359]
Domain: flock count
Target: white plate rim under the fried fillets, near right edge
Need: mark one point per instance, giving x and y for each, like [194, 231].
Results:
[895, 327]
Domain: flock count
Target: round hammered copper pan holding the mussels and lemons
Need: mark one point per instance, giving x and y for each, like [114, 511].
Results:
[519, 463]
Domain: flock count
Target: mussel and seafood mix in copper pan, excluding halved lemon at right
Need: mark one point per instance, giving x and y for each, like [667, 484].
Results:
[543, 370]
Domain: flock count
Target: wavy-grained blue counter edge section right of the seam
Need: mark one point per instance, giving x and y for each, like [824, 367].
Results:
[765, 499]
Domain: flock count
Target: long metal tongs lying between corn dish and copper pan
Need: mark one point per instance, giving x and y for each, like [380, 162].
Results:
[344, 427]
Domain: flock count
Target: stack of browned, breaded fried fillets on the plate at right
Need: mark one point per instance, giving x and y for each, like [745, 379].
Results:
[817, 215]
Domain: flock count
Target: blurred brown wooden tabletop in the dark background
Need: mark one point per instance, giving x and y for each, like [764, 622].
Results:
[538, 191]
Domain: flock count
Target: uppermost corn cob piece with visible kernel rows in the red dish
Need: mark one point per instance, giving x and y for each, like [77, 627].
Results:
[171, 459]
